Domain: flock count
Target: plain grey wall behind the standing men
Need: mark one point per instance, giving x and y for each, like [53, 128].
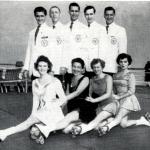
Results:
[17, 19]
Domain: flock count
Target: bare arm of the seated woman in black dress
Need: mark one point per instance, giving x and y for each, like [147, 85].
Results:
[82, 86]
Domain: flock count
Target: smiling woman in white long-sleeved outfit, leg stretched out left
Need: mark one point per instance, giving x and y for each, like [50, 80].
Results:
[46, 107]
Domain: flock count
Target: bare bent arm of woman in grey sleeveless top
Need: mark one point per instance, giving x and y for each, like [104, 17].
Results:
[106, 95]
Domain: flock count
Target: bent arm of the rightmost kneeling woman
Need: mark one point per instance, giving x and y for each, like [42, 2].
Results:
[131, 87]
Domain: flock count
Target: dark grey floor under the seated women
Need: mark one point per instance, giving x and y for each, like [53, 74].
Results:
[15, 108]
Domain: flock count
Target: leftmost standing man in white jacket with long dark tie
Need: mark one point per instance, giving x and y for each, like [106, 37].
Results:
[38, 43]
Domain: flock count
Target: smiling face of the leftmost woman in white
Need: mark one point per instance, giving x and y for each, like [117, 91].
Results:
[42, 67]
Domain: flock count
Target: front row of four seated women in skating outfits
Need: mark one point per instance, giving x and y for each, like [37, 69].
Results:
[100, 103]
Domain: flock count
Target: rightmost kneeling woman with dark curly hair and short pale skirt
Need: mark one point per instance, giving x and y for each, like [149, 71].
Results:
[124, 85]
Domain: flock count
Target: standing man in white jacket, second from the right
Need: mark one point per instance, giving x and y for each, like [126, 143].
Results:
[94, 38]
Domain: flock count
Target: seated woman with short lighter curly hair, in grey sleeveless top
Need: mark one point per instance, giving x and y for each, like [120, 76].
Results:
[100, 95]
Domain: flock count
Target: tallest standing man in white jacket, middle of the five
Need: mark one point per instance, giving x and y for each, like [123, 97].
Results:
[75, 35]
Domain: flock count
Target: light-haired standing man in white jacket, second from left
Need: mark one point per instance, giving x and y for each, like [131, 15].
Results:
[57, 40]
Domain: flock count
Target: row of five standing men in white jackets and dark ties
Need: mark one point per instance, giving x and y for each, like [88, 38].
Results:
[61, 43]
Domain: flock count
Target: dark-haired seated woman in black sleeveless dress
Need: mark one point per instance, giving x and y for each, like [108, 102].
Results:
[77, 89]
